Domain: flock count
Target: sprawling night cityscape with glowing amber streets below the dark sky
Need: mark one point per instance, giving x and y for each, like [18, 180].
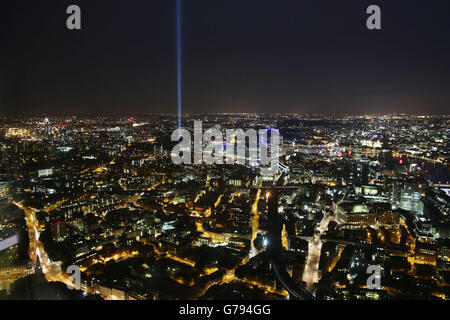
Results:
[354, 208]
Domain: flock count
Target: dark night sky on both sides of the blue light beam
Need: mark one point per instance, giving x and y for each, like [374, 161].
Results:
[298, 56]
